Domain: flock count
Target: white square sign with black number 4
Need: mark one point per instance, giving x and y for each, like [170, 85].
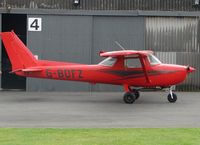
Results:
[34, 24]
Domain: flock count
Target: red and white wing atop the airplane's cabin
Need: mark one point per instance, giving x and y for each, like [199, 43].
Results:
[124, 53]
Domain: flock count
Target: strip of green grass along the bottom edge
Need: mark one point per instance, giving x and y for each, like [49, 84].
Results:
[174, 136]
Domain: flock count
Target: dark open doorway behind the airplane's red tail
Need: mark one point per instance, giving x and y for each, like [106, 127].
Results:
[16, 22]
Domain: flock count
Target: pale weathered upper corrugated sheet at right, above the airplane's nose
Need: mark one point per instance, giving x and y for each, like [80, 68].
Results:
[172, 34]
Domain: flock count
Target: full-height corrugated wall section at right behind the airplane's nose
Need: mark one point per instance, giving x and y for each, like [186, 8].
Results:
[180, 36]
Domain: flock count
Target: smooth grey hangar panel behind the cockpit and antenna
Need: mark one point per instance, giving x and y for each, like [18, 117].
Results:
[128, 31]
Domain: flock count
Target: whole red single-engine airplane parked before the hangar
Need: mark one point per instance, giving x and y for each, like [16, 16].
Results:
[134, 70]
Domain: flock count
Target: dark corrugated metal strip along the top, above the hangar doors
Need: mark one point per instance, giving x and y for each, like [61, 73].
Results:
[161, 5]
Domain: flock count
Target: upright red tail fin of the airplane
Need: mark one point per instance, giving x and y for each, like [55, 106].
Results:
[19, 55]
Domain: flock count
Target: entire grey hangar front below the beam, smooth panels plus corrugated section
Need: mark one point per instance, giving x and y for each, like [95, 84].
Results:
[85, 36]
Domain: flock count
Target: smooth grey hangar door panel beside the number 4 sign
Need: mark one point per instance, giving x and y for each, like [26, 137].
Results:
[63, 38]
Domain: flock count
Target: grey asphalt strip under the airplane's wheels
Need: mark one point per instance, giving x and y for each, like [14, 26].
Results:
[97, 110]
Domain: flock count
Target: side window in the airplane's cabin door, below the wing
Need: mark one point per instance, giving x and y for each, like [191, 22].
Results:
[132, 63]
